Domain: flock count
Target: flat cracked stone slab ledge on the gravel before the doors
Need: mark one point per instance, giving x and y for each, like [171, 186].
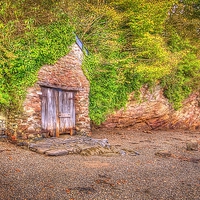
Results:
[82, 145]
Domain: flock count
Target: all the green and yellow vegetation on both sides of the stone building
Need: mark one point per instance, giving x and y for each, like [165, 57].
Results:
[130, 43]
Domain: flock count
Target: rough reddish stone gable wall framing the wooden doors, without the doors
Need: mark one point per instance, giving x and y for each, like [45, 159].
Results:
[65, 74]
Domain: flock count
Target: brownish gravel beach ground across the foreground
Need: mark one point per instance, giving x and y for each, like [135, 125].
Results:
[161, 169]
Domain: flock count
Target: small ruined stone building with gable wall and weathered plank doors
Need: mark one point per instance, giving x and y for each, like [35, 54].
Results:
[57, 103]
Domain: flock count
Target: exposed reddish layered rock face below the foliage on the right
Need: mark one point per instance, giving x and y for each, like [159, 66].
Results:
[155, 112]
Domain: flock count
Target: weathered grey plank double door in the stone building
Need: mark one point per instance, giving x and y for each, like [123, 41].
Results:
[58, 111]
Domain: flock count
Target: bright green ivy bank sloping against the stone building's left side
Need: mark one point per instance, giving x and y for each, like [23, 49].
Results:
[26, 54]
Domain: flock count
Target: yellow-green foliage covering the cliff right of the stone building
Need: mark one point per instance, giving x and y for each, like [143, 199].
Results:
[133, 43]
